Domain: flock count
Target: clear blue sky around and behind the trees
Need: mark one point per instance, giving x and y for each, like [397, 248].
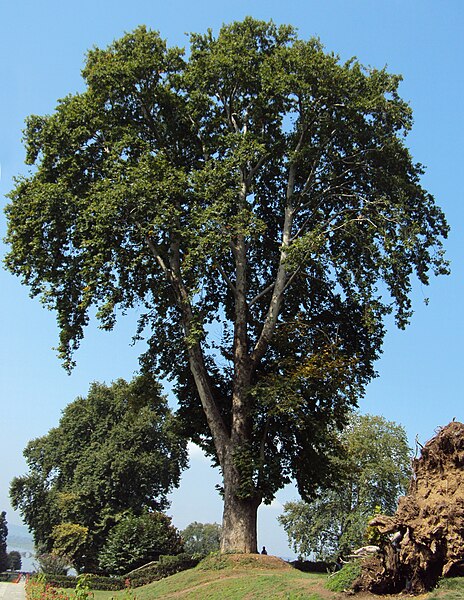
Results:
[43, 45]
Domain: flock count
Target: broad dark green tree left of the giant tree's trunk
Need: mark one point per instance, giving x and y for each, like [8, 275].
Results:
[116, 450]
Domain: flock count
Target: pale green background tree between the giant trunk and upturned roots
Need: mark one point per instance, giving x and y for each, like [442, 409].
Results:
[375, 468]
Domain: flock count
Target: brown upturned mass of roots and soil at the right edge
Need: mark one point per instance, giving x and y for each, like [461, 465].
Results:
[426, 535]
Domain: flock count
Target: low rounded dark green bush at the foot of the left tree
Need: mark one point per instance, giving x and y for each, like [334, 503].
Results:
[137, 540]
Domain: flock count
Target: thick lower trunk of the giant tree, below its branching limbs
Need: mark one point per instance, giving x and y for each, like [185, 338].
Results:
[239, 524]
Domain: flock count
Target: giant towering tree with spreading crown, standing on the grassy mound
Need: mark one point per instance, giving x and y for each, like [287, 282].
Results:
[257, 200]
